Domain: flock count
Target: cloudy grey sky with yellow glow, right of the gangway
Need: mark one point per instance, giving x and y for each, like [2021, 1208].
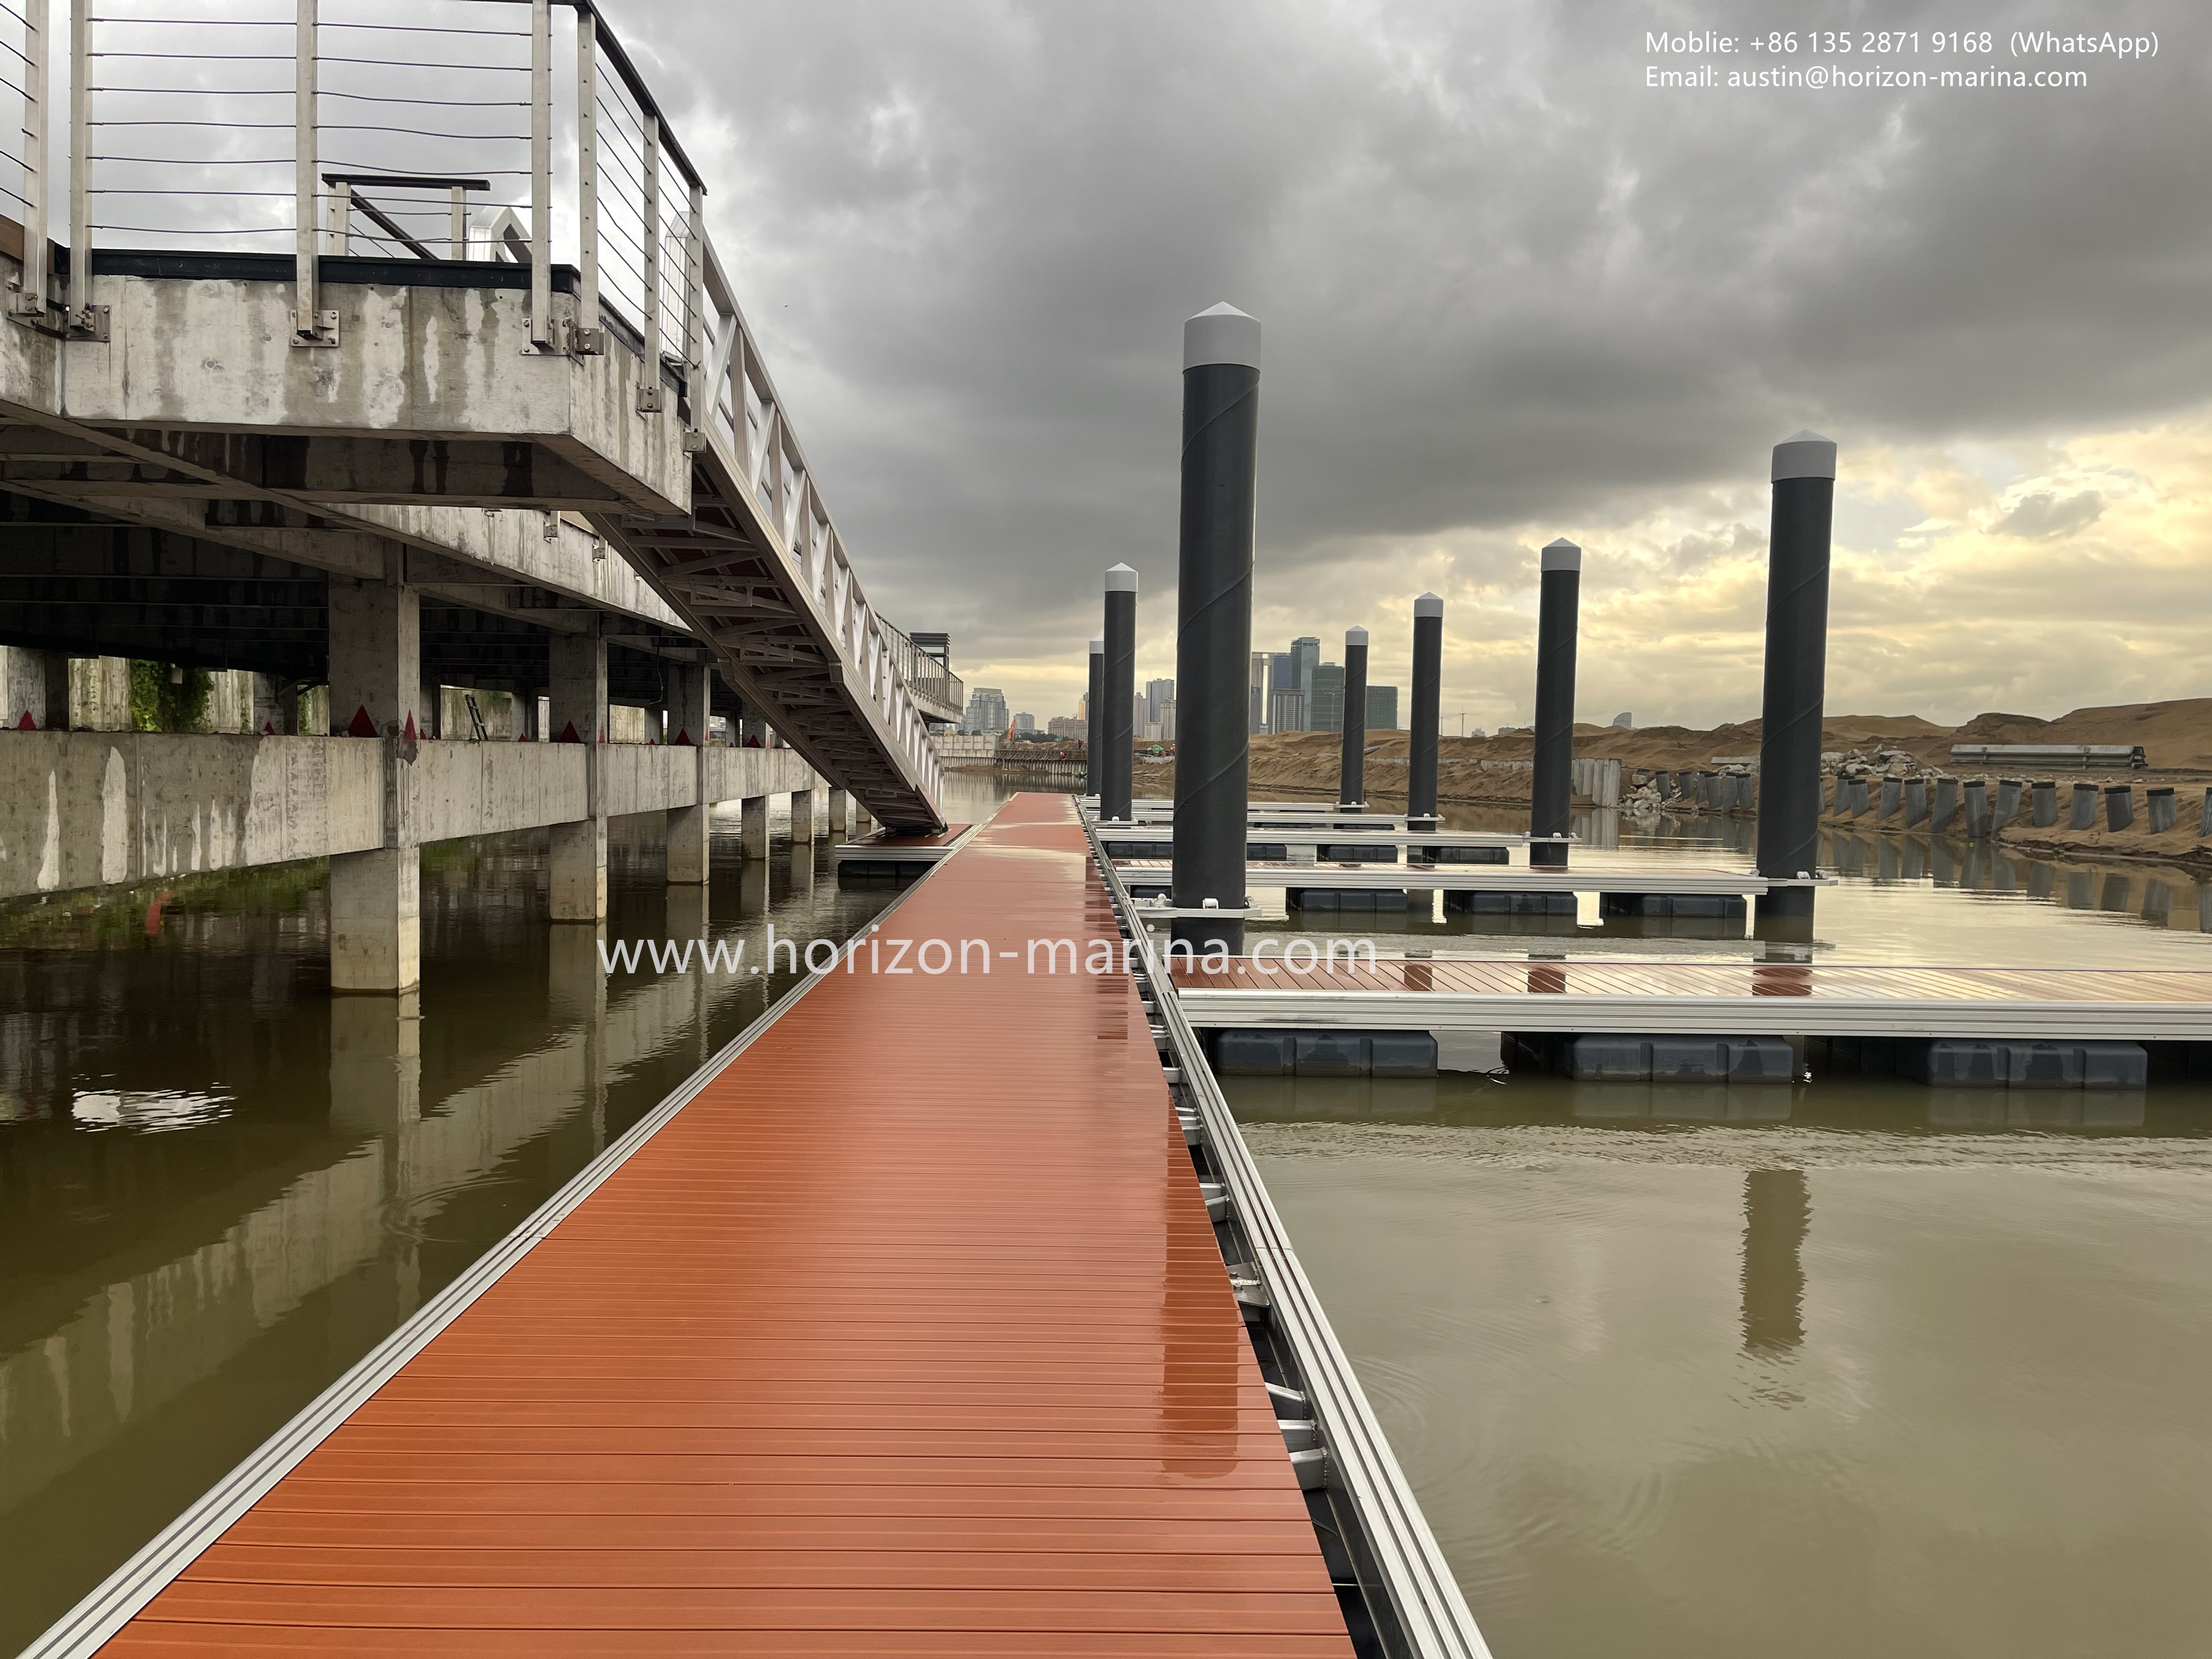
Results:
[1510, 293]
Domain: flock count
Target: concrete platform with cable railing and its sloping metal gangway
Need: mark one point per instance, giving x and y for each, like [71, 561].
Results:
[291, 271]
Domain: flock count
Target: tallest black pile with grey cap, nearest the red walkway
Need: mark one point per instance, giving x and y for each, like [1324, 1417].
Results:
[1213, 636]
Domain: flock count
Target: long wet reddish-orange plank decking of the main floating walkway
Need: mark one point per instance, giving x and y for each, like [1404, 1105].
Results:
[908, 1335]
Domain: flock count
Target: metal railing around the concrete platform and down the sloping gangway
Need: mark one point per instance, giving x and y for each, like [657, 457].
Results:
[634, 207]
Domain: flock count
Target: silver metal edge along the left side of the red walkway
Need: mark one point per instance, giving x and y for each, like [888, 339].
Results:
[90, 1625]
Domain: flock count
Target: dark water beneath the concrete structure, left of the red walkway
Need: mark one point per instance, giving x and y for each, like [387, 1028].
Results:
[222, 1185]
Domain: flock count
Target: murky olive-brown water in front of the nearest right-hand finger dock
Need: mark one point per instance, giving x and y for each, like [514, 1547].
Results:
[1649, 1408]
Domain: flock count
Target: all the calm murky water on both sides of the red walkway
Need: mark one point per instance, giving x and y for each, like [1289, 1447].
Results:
[1676, 1373]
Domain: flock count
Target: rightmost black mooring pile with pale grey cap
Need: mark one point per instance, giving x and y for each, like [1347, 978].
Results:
[1797, 669]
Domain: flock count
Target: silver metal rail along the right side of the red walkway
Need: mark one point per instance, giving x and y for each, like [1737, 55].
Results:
[1426, 1598]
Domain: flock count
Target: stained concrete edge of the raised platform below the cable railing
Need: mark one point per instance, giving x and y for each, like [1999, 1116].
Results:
[198, 359]
